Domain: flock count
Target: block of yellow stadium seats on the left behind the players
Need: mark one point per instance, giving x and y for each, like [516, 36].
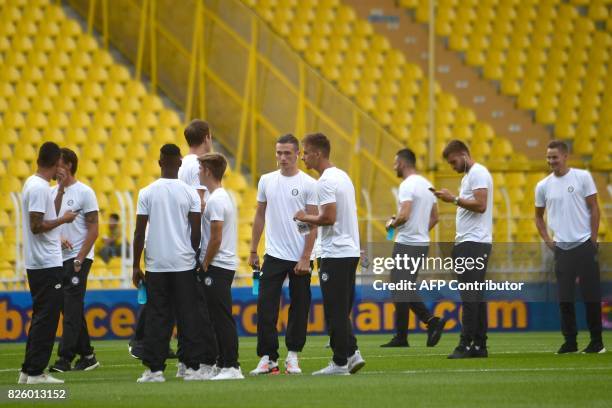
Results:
[56, 83]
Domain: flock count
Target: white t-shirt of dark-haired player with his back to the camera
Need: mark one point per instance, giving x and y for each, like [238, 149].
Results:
[168, 203]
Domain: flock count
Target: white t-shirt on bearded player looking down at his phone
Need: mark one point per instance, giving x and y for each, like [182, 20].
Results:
[473, 226]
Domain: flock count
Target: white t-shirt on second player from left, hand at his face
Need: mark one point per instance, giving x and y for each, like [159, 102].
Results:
[76, 197]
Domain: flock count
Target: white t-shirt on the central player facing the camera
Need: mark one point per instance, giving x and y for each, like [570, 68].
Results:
[284, 196]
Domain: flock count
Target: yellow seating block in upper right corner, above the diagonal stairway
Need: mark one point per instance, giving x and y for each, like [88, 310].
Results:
[551, 55]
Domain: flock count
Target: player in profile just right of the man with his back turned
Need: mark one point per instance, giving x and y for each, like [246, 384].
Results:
[219, 263]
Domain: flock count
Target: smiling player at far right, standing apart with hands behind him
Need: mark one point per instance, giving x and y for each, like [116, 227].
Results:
[570, 197]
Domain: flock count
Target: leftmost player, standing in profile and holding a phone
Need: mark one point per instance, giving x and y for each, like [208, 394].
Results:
[43, 261]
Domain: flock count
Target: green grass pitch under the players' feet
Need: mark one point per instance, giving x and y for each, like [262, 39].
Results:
[522, 370]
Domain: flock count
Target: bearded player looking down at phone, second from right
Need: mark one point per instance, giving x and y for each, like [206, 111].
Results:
[473, 239]
